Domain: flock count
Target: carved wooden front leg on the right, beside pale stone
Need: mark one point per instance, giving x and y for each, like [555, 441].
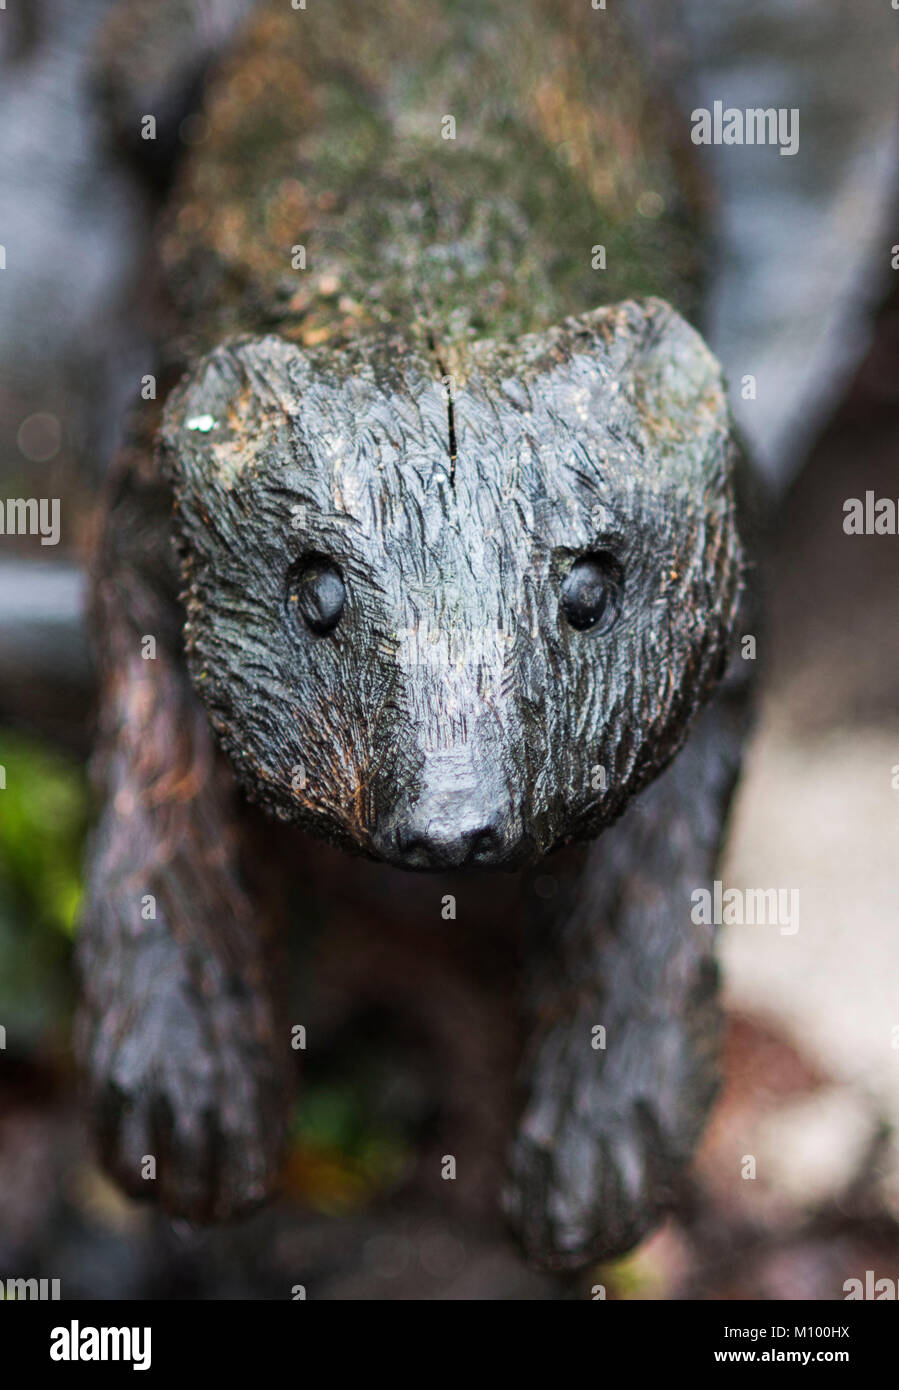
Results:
[611, 1121]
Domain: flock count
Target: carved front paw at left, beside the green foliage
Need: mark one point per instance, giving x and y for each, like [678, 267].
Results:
[187, 1096]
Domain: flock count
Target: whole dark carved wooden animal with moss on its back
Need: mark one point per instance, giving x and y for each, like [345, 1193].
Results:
[441, 564]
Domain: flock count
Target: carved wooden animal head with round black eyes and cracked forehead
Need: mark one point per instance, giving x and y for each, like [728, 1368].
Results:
[458, 622]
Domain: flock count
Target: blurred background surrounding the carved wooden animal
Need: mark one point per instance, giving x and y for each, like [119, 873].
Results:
[805, 300]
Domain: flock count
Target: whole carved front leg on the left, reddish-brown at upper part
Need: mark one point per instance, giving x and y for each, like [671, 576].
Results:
[179, 1031]
